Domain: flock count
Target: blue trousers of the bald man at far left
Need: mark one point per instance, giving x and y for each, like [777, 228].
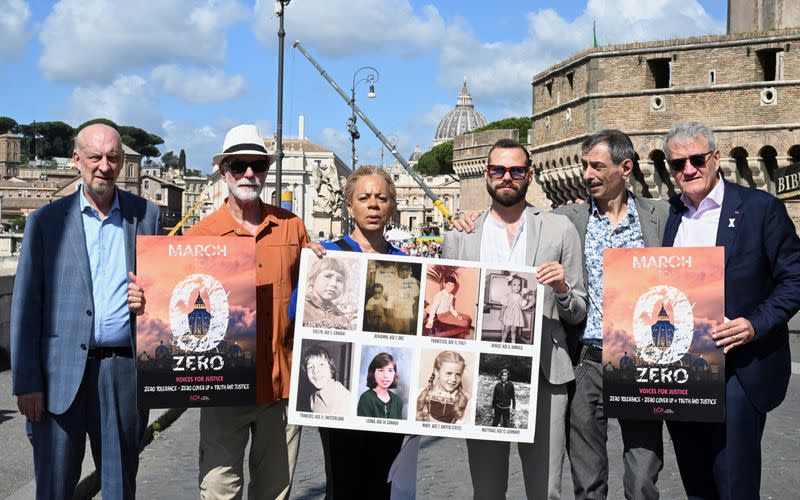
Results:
[105, 408]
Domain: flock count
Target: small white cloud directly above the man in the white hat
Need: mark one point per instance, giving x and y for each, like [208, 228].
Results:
[195, 85]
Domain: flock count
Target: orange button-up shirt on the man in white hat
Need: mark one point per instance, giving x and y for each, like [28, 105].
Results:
[279, 239]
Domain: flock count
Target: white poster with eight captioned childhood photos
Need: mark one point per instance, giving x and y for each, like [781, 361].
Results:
[416, 346]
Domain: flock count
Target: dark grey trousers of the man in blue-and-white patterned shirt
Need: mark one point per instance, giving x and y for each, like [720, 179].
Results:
[643, 454]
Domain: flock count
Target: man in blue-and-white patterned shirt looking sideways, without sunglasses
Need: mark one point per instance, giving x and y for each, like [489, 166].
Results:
[613, 217]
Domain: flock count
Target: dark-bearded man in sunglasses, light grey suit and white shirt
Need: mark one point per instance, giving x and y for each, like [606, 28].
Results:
[512, 232]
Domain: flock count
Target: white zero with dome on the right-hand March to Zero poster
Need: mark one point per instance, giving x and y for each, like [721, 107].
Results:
[663, 325]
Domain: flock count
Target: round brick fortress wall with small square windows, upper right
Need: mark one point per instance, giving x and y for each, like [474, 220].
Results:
[746, 87]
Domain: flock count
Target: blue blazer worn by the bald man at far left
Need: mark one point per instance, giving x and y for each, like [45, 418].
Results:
[52, 307]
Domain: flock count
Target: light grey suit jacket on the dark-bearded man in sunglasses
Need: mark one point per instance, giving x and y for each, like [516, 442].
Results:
[550, 238]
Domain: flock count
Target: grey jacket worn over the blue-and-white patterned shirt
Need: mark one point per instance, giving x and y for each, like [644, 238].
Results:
[653, 215]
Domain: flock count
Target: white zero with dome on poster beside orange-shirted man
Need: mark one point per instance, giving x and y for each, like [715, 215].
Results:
[204, 326]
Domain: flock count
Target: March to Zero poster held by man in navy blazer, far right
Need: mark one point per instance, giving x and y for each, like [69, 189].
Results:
[659, 359]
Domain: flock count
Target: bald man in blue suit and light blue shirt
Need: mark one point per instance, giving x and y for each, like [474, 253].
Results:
[72, 338]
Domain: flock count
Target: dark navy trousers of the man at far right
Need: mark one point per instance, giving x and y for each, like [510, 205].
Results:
[722, 460]
